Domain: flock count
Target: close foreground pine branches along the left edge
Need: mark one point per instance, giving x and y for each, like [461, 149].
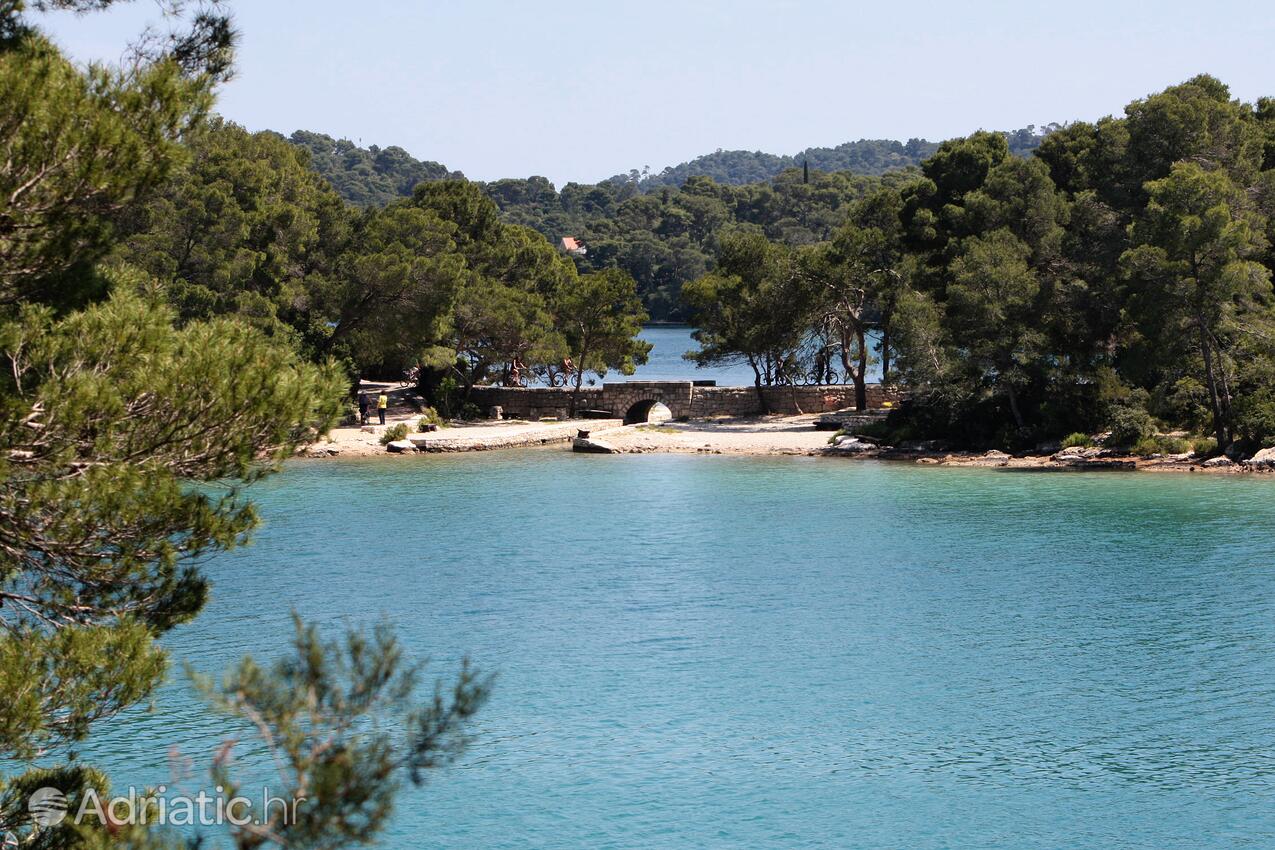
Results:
[151, 312]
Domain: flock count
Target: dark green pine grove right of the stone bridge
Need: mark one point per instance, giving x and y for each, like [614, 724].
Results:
[1118, 281]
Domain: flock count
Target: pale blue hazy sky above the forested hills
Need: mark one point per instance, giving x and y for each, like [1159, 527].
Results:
[582, 91]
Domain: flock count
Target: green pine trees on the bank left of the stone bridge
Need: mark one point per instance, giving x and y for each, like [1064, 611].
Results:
[245, 229]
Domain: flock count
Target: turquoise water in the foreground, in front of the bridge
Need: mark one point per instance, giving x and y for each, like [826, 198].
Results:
[786, 653]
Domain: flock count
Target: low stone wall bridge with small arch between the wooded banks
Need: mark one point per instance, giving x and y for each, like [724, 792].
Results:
[634, 401]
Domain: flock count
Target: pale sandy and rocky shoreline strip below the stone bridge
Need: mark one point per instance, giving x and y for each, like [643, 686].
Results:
[752, 436]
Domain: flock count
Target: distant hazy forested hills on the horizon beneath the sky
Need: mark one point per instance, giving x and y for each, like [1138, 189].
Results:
[662, 229]
